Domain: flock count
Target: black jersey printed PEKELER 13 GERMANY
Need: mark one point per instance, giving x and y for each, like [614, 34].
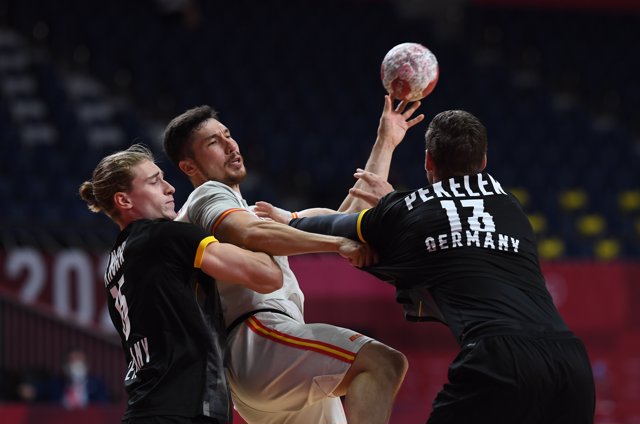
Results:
[460, 251]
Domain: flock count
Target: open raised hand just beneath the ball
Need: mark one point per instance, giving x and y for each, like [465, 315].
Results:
[395, 122]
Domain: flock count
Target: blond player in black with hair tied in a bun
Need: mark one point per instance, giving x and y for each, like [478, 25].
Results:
[162, 298]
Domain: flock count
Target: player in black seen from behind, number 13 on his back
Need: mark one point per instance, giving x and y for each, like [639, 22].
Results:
[461, 251]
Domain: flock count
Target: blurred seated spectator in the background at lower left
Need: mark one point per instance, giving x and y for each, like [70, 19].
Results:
[77, 388]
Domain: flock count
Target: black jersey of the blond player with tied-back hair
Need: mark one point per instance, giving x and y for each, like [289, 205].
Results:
[169, 318]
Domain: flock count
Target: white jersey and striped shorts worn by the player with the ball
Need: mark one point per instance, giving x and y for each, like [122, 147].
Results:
[280, 369]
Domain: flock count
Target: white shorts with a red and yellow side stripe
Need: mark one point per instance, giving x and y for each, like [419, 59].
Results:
[282, 370]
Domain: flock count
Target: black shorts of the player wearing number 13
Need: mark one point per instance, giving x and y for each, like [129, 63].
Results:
[524, 378]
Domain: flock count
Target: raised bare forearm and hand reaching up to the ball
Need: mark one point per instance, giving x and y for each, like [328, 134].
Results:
[393, 126]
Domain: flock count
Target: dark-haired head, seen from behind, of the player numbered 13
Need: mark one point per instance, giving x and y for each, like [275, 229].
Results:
[457, 142]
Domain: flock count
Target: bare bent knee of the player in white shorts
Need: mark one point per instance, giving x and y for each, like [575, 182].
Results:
[371, 384]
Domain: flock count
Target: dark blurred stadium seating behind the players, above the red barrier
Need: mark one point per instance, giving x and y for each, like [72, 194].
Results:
[85, 79]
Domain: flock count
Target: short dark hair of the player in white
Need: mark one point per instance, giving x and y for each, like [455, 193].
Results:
[177, 135]
